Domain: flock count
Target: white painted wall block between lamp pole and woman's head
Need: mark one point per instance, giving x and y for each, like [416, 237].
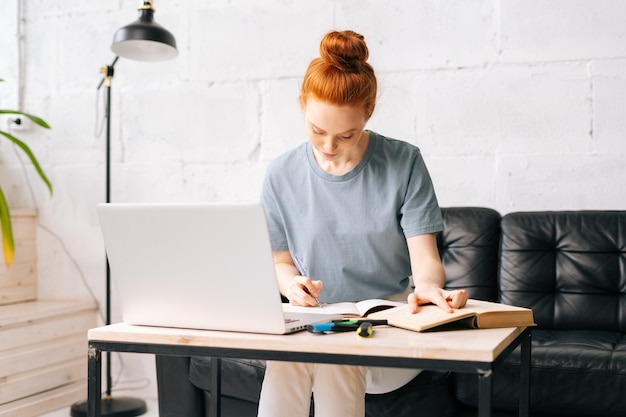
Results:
[191, 123]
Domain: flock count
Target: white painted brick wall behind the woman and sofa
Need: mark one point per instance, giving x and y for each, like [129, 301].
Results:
[517, 104]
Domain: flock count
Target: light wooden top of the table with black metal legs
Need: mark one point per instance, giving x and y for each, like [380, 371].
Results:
[480, 345]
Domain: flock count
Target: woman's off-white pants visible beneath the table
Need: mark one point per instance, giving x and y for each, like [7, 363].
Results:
[339, 390]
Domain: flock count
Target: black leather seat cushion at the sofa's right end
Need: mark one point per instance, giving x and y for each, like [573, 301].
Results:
[573, 373]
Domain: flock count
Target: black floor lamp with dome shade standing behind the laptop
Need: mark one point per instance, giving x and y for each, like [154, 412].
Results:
[142, 40]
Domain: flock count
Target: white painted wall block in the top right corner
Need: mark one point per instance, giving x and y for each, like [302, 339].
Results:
[536, 30]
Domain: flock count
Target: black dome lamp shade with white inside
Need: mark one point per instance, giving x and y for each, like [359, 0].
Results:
[144, 40]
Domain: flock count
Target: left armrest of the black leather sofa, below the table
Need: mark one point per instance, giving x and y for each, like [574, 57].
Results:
[177, 395]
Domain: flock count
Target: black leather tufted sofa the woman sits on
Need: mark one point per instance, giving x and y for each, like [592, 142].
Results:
[569, 267]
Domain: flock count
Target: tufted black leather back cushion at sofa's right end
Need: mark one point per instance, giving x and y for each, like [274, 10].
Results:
[569, 267]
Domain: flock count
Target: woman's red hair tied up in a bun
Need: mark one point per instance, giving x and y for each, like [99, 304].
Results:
[341, 76]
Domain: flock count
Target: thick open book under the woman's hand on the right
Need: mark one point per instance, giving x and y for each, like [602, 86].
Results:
[476, 314]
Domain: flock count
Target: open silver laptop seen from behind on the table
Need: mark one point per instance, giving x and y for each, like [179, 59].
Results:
[203, 266]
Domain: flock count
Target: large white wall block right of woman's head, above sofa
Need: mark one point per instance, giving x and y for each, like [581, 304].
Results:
[504, 109]
